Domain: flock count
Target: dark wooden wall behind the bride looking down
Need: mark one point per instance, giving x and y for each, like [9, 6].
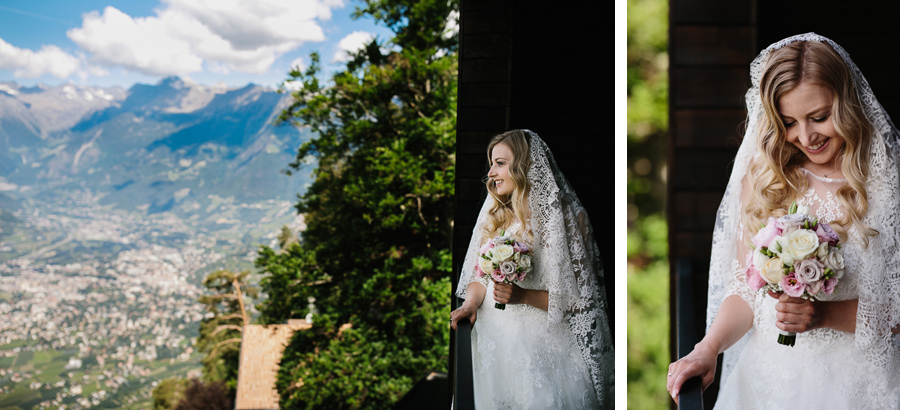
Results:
[711, 45]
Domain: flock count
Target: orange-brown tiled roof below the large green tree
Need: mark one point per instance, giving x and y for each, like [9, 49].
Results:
[261, 348]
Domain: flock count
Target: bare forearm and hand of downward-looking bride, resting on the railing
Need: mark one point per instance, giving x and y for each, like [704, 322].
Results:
[733, 321]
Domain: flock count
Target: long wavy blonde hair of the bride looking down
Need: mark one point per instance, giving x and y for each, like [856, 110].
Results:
[775, 177]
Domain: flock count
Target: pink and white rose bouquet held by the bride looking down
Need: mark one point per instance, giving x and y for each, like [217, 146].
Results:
[797, 255]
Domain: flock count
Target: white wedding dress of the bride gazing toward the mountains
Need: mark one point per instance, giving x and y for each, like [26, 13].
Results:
[520, 361]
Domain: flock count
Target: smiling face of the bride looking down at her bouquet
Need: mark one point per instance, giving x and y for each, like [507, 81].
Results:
[806, 112]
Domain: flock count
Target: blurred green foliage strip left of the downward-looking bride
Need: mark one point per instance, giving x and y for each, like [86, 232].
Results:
[648, 267]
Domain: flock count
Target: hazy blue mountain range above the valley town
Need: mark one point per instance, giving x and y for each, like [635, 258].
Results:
[153, 148]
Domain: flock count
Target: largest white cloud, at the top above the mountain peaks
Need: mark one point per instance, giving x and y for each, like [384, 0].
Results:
[185, 35]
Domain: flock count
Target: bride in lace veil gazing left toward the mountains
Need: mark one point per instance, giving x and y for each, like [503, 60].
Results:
[551, 347]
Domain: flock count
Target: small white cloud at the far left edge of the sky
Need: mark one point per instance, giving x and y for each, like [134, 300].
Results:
[26, 63]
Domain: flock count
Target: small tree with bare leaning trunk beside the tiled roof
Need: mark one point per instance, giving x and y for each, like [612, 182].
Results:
[220, 335]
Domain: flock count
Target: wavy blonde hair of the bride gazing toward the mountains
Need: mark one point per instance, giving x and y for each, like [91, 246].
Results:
[505, 209]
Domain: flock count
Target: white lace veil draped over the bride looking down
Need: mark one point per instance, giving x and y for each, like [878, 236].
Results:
[879, 270]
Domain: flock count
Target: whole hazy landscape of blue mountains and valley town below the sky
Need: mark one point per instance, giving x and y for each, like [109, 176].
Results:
[114, 205]
